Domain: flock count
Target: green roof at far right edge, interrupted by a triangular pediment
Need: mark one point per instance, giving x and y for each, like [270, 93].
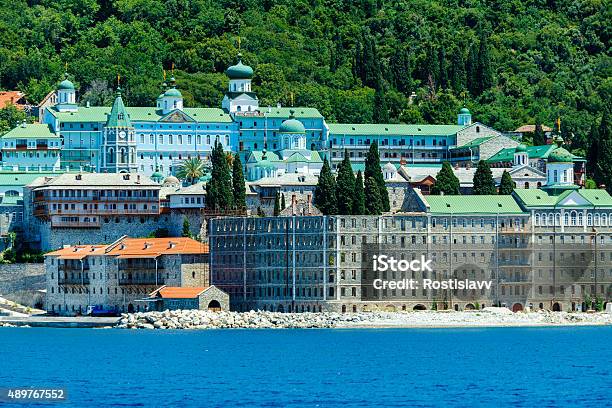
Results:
[542, 198]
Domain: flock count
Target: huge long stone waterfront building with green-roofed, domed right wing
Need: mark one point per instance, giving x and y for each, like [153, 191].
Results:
[540, 248]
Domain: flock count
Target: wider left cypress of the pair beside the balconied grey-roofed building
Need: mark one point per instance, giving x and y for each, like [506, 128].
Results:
[219, 194]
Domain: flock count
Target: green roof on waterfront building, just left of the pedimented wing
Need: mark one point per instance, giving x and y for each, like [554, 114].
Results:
[473, 204]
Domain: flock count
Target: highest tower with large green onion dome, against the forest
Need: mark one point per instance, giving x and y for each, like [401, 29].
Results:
[239, 96]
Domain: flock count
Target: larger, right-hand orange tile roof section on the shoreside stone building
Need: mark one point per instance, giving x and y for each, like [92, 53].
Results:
[147, 247]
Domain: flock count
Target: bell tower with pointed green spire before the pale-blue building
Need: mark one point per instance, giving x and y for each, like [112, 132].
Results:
[119, 143]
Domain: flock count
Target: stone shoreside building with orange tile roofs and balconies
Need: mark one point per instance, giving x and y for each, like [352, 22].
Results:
[119, 276]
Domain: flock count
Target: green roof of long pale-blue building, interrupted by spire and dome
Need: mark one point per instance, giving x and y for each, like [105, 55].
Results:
[140, 114]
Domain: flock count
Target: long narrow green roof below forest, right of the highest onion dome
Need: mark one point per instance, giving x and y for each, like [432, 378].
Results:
[393, 129]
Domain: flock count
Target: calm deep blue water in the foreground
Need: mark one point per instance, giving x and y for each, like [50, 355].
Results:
[531, 367]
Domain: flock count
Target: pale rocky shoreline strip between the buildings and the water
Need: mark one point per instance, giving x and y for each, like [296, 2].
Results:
[489, 317]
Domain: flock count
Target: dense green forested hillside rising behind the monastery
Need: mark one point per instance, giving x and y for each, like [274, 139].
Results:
[509, 61]
